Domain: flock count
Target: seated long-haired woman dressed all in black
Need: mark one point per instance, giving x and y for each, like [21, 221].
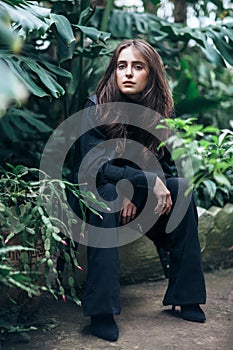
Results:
[136, 75]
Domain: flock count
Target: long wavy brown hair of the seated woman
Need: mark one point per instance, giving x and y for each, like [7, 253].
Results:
[156, 95]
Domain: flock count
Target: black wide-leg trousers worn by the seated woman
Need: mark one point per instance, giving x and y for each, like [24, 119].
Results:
[177, 232]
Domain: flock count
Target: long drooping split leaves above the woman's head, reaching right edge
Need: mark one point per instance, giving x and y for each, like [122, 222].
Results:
[170, 39]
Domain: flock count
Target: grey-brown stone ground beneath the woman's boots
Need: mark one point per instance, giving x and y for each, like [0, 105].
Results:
[144, 323]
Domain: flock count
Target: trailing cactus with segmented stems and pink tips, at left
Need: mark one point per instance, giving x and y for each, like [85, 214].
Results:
[24, 221]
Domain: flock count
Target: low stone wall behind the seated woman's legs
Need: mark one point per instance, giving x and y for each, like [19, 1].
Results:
[139, 260]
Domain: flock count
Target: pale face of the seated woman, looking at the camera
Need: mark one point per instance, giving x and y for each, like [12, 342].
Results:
[132, 72]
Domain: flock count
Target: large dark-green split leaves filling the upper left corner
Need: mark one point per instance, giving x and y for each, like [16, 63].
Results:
[26, 23]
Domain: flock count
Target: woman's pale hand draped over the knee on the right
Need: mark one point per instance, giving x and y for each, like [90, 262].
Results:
[164, 201]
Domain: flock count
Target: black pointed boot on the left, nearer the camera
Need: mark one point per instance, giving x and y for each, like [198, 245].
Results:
[105, 327]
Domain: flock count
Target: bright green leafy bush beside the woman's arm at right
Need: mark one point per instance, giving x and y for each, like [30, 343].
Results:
[205, 154]
